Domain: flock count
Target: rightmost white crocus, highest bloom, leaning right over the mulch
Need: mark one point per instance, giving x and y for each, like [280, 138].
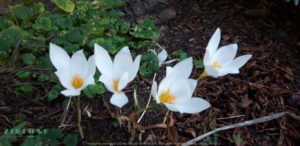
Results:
[220, 62]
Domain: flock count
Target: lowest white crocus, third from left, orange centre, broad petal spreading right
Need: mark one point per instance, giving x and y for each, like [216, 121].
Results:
[175, 90]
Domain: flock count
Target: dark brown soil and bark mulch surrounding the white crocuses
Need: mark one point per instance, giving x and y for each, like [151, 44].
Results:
[269, 83]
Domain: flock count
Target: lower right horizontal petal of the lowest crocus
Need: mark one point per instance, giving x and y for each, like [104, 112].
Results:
[193, 105]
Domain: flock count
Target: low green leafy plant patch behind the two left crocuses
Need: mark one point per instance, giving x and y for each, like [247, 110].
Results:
[29, 27]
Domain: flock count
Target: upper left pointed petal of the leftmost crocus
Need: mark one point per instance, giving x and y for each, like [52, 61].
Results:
[59, 57]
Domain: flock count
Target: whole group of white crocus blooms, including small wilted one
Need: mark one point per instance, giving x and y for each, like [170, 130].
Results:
[175, 91]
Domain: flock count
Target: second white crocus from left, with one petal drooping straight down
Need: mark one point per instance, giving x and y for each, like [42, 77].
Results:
[116, 75]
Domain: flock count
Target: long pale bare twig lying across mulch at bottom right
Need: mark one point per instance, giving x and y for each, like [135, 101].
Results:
[242, 124]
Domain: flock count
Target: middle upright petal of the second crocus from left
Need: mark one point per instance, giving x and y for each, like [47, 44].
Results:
[122, 63]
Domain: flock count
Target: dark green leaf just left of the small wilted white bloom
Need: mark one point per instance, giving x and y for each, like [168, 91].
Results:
[149, 64]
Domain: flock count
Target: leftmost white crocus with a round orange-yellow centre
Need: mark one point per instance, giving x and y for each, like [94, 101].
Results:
[74, 73]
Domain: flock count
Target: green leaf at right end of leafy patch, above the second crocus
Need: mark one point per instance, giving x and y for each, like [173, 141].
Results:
[145, 30]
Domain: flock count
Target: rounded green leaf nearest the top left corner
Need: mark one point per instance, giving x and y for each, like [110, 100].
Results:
[23, 12]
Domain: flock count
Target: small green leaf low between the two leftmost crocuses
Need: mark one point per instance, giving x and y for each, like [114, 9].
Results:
[92, 90]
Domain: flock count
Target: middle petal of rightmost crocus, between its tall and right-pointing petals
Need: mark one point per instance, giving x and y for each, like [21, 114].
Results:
[225, 54]
